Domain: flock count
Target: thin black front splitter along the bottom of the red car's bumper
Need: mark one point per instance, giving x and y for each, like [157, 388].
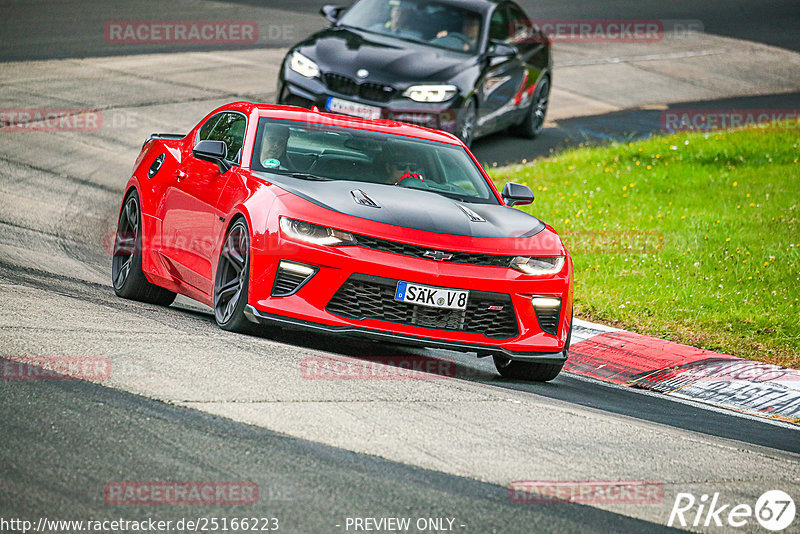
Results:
[289, 323]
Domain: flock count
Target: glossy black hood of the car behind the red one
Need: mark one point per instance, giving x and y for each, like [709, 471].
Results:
[389, 60]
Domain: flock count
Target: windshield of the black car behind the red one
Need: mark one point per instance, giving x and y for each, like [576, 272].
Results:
[418, 20]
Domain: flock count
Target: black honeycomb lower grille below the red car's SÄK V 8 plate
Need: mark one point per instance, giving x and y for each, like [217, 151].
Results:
[369, 297]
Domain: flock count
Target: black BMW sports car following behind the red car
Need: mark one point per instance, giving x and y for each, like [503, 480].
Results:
[469, 67]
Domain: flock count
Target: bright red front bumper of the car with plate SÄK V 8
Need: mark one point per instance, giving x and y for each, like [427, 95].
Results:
[307, 307]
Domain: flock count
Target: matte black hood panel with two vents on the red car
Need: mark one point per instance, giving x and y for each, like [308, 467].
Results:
[411, 208]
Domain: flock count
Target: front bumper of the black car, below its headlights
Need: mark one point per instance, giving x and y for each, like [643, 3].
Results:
[297, 90]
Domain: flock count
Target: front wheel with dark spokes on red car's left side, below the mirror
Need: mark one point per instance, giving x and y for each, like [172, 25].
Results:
[232, 281]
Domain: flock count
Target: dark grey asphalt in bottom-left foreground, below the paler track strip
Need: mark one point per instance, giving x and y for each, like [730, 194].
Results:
[60, 461]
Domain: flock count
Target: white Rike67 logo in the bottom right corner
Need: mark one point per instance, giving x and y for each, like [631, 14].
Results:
[774, 510]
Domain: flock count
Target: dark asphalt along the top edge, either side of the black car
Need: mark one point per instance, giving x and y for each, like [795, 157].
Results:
[74, 28]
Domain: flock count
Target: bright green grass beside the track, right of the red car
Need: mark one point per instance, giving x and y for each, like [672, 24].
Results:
[691, 237]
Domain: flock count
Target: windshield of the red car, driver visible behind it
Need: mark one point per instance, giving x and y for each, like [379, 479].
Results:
[324, 152]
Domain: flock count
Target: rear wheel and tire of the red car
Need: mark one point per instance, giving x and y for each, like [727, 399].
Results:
[127, 276]
